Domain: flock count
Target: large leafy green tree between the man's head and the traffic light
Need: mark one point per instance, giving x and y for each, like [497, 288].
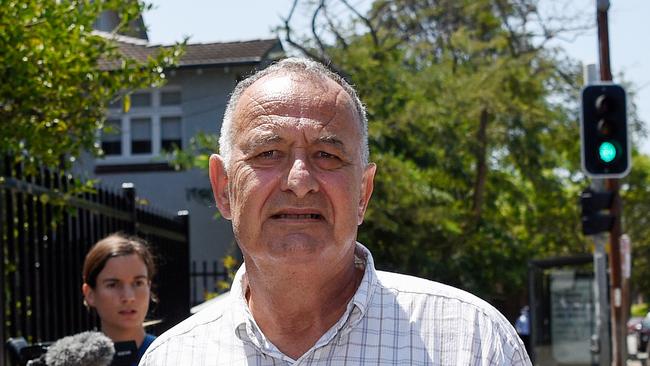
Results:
[473, 124]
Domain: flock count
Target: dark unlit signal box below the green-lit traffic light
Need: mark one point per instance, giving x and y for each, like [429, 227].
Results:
[594, 219]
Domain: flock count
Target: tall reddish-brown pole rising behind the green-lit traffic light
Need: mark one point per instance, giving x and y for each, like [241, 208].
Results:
[616, 298]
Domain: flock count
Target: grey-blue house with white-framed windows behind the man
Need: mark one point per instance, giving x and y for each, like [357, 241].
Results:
[192, 101]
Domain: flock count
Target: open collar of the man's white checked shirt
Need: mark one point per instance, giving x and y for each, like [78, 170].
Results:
[247, 329]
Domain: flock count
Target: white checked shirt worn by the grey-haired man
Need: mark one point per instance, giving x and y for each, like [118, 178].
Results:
[392, 319]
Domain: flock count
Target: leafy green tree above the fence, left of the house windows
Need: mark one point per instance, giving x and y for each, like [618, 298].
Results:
[57, 76]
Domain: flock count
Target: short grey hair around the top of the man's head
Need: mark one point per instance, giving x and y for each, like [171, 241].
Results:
[290, 65]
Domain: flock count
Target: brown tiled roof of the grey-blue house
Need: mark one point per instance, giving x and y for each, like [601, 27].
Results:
[206, 54]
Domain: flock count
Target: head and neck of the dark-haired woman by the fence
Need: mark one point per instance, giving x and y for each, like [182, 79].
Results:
[117, 276]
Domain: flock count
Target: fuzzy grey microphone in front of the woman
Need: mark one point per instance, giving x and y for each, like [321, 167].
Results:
[82, 349]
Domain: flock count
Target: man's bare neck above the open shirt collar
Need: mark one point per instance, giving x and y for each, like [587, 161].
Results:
[295, 311]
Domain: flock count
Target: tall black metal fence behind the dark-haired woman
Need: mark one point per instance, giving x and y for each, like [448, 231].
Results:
[46, 230]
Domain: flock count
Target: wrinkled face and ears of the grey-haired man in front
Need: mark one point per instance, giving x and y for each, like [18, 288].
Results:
[296, 188]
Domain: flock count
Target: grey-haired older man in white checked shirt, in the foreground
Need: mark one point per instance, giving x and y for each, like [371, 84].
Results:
[293, 177]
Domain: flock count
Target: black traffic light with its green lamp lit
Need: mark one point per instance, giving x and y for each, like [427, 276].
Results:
[603, 130]
